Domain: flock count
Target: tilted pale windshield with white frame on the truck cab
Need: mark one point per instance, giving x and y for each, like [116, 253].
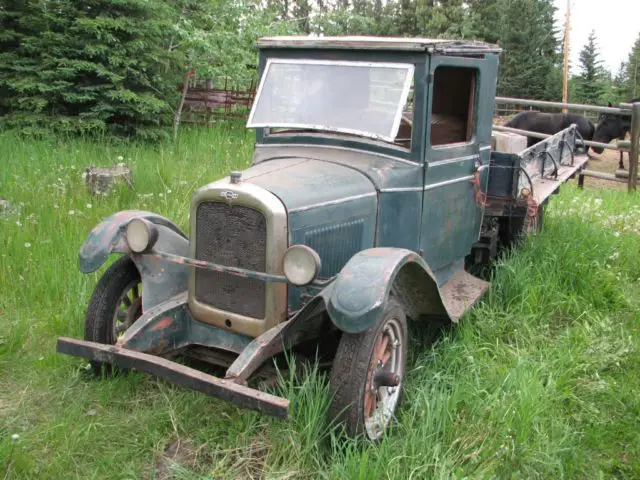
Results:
[362, 98]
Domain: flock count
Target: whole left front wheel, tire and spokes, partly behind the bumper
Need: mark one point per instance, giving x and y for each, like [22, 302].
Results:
[115, 304]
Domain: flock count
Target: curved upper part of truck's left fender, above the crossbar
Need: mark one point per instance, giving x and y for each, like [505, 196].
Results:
[108, 237]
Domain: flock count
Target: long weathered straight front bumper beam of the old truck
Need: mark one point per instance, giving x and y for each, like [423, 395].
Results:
[227, 390]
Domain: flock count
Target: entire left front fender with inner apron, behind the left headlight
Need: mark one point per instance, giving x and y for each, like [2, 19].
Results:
[160, 280]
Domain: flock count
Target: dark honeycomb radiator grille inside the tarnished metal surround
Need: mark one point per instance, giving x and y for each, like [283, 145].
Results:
[234, 236]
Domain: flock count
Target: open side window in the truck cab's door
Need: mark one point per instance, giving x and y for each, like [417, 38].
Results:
[452, 109]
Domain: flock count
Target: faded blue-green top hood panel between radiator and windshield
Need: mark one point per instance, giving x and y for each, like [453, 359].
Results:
[303, 183]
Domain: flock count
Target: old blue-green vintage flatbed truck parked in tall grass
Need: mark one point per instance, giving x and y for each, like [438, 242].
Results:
[373, 186]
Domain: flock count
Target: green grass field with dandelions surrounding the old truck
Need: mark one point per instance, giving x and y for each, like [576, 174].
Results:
[541, 380]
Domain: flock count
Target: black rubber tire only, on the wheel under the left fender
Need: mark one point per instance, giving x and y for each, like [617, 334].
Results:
[98, 326]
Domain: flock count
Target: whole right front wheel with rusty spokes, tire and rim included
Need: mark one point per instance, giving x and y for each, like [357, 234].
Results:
[367, 373]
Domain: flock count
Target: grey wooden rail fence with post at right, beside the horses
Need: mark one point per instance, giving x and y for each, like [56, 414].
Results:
[506, 106]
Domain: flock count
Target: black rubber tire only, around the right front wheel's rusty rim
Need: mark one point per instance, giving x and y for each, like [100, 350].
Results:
[350, 369]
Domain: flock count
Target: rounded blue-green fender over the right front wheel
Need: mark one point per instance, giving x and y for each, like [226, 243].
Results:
[356, 300]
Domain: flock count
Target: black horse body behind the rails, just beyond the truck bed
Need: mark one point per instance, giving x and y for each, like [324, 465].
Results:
[550, 123]
